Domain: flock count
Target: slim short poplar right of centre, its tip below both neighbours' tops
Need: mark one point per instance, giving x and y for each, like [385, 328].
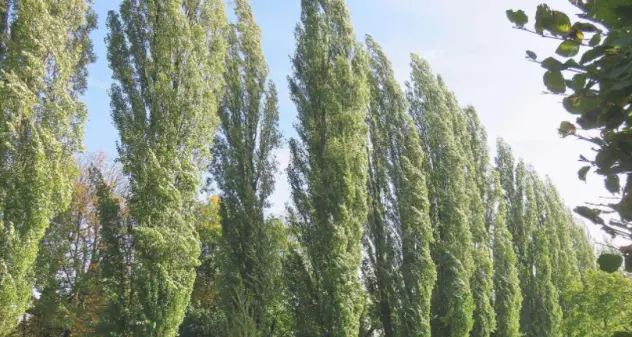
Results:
[507, 294]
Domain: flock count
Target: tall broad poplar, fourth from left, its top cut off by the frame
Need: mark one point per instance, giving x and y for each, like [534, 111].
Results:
[327, 172]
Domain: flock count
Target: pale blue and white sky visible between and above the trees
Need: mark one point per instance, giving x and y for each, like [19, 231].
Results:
[471, 44]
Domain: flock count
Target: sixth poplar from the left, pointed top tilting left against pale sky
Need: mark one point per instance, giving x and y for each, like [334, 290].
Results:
[452, 302]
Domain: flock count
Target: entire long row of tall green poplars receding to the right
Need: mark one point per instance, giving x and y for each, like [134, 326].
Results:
[399, 224]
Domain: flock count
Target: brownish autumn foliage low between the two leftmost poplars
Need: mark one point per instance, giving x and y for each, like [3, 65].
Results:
[68, 272]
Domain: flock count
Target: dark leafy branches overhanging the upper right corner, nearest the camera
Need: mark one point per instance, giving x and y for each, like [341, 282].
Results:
[595, 77]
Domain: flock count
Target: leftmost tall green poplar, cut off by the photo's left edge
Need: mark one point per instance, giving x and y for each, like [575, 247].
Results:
[44, 51]
